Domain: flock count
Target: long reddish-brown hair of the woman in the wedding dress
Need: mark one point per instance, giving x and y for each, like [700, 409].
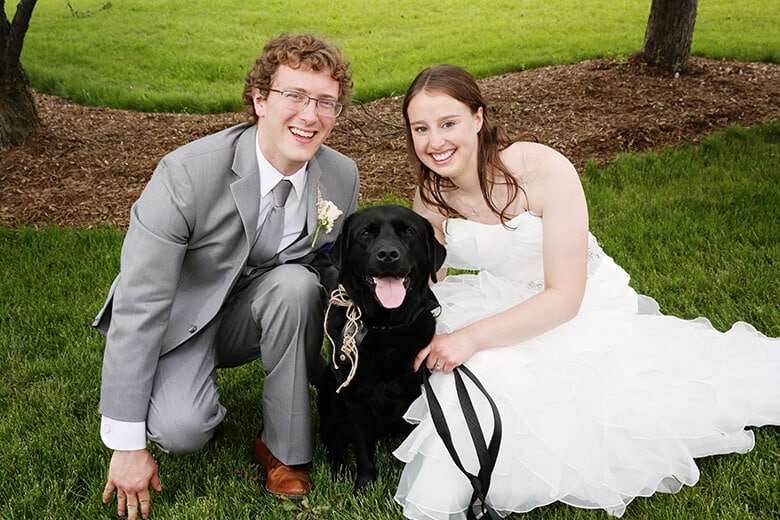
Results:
[460, 85]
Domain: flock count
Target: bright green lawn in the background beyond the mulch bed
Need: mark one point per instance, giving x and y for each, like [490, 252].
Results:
[192, 56]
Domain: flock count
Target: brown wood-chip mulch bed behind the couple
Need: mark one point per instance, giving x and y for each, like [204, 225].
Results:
[88, 164]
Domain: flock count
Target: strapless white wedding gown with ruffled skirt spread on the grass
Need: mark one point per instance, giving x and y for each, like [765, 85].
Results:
[612, 405]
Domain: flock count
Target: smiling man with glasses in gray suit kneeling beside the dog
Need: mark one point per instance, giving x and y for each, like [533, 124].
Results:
[223, 264]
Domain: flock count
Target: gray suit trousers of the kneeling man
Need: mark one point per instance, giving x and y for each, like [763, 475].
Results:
[276, 317]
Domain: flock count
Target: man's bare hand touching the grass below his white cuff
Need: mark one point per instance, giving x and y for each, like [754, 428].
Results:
[130, 474]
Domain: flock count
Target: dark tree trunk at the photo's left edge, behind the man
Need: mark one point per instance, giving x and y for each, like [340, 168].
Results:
[18, 117]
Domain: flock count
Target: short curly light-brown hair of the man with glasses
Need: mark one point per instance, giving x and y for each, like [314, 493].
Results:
[297, 50]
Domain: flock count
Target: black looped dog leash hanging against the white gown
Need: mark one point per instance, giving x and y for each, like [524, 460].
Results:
[486, 453]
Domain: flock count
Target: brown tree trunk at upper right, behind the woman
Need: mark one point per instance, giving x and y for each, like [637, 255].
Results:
[669, 34]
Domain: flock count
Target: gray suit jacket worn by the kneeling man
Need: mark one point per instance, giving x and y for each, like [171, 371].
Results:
[187, 244]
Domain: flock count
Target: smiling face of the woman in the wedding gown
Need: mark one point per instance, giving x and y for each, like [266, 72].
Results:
[444, 132]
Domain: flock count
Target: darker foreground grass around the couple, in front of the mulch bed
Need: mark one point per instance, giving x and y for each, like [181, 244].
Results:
[697, 227]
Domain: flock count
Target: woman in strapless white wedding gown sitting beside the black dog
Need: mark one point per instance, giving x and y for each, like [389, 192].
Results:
[602, 398]
